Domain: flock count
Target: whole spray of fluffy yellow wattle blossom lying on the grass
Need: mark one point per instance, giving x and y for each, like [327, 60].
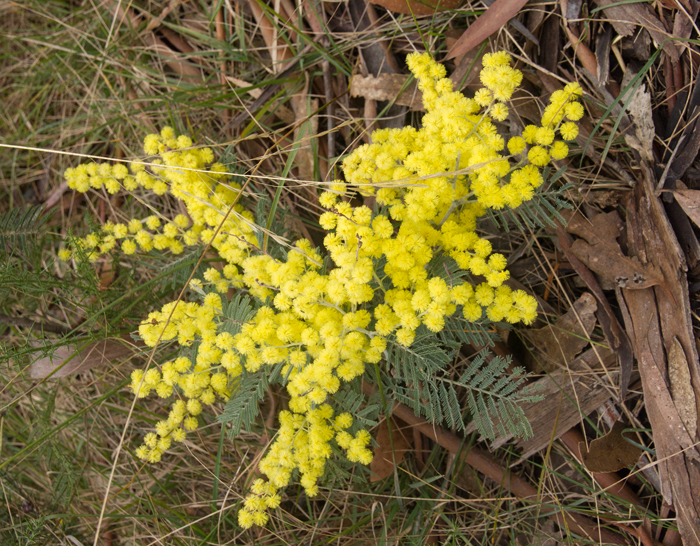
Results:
[431, 186]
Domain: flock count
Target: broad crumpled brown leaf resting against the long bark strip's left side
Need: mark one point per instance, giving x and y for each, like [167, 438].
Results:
[601, 252]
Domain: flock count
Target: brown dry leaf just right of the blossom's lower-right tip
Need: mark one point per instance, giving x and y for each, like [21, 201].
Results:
[558, 344]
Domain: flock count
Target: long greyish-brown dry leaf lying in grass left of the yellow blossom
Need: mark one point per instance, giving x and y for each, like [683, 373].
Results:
[65, 362]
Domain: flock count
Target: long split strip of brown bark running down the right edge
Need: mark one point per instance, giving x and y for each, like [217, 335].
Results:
[657, 316]
